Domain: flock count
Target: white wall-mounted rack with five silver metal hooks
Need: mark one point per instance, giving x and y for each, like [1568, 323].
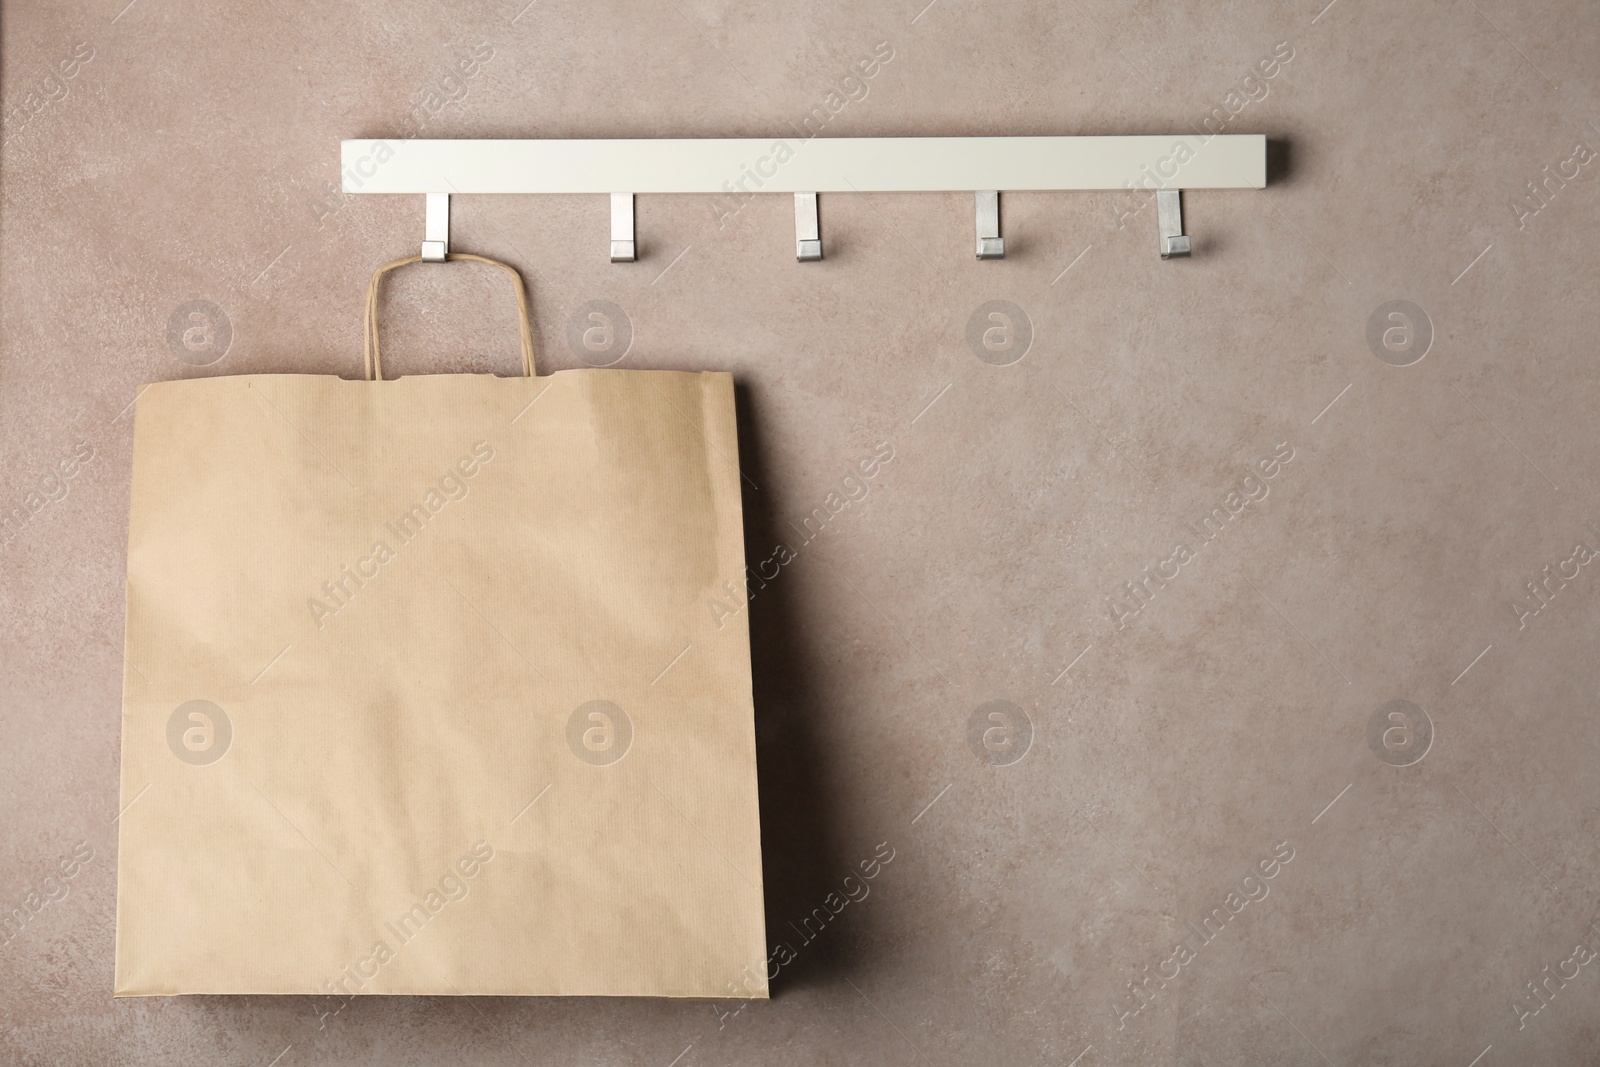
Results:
[806, 167]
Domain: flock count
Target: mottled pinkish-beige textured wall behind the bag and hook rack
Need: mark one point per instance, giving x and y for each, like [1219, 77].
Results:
[169, 151]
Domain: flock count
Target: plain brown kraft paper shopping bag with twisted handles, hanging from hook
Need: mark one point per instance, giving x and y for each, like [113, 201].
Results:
[423, 690]
